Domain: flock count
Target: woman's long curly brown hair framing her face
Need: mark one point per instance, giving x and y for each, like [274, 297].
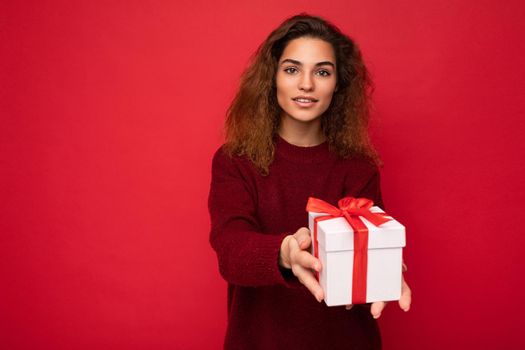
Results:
[253, 117]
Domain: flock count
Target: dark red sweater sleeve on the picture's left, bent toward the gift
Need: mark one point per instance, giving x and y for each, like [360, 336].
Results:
[246, 256]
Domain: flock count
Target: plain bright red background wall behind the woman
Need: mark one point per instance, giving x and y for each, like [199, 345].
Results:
[112, 110]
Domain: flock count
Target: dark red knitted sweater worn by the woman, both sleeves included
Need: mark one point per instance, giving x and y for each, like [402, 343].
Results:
[250, 215]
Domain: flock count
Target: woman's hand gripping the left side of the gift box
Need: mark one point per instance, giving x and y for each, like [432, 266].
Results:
[293, 255]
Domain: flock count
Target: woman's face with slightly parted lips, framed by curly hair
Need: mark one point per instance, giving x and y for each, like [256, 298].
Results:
[306, 79]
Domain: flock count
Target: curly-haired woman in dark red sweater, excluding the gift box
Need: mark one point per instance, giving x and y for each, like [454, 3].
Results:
[296, 128]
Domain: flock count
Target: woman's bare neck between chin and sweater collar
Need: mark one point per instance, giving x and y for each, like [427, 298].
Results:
[300, 133]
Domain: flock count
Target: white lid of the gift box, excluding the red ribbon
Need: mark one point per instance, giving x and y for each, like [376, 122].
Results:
[337, 235]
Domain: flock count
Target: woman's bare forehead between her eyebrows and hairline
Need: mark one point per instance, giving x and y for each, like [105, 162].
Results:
[308, 50]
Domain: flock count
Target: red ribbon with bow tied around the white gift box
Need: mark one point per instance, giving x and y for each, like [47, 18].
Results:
[351, 209]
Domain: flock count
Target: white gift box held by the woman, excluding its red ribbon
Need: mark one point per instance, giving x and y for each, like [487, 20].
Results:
[336, 252]
